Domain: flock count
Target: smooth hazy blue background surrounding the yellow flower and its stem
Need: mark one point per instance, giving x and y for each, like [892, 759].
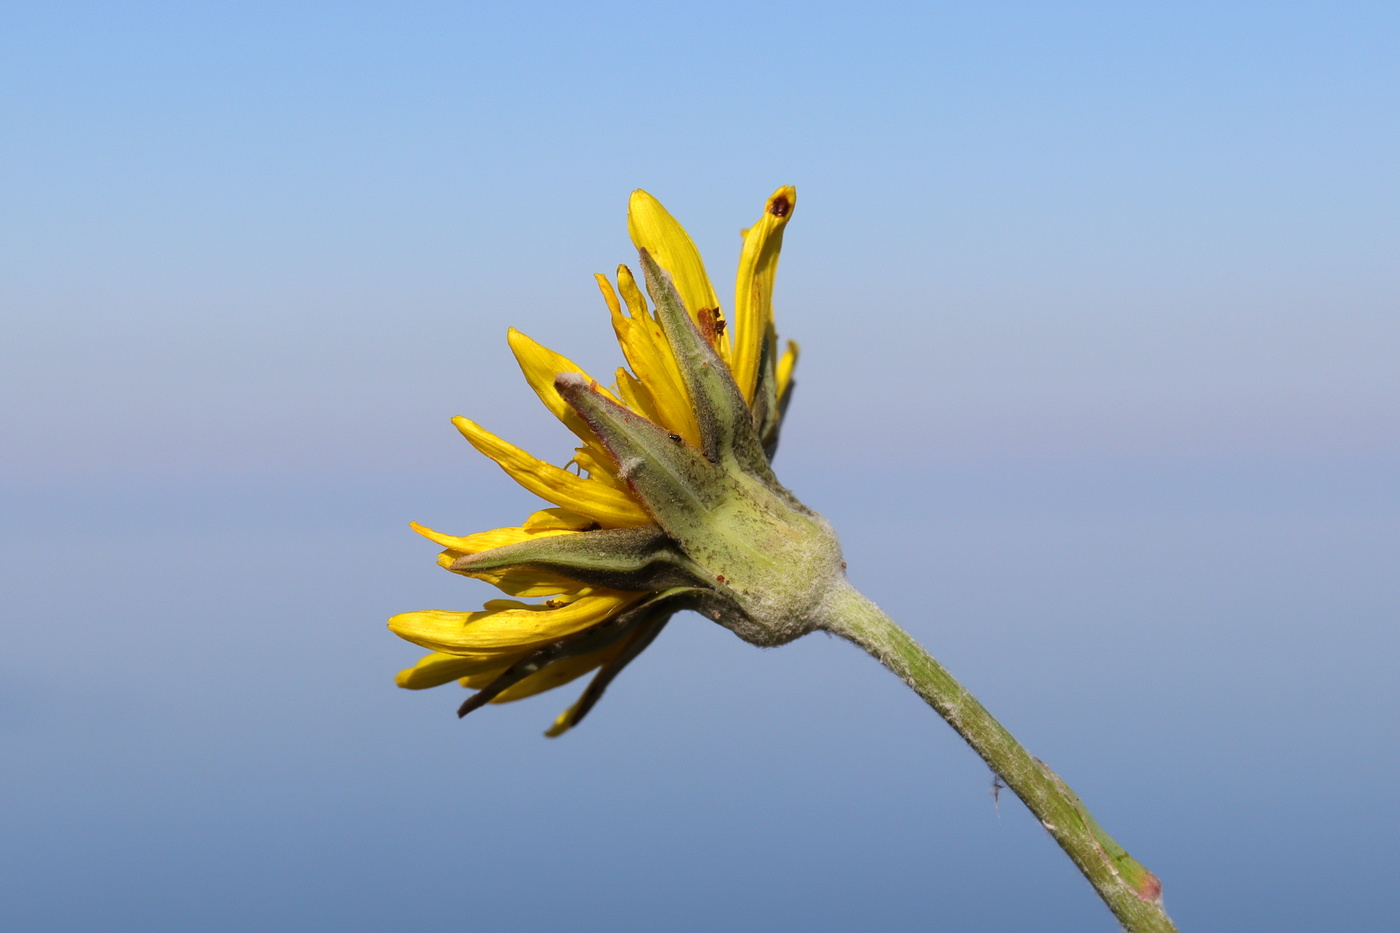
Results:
[1101, 317]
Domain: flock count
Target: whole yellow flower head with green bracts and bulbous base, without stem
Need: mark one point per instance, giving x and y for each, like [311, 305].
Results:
[674, 504]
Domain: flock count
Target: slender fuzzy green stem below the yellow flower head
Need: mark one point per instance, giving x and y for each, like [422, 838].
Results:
[1130, 892]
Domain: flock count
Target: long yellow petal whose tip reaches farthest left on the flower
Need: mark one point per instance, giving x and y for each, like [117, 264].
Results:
[507, 628]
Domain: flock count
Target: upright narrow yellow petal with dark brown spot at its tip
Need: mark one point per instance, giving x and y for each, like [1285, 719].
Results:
[754, 288]
